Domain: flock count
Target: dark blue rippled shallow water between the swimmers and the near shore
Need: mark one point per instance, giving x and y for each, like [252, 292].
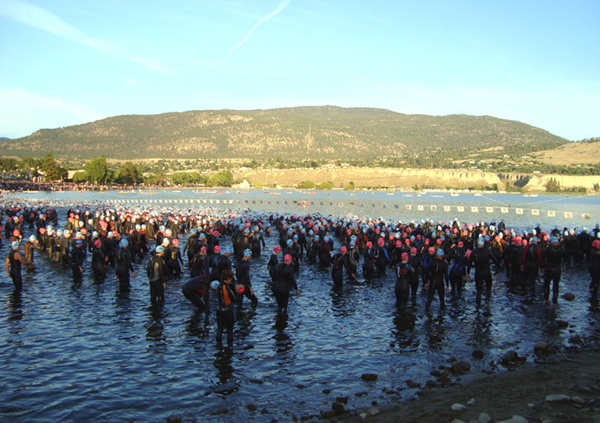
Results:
[85, 353]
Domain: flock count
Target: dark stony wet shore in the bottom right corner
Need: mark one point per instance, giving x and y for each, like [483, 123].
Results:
[521, 390]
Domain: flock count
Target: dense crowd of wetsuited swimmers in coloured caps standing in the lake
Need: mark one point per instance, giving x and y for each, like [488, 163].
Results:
[437, 255]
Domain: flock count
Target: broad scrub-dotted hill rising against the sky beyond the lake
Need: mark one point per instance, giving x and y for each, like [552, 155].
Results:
[303, 132]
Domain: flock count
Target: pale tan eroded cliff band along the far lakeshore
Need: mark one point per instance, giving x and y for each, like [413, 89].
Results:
[409, 178]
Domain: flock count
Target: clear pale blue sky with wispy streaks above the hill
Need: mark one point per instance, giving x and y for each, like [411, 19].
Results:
[67, 62]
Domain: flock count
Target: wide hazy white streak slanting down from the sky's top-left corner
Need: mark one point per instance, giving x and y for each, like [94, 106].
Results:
[37, 17]
